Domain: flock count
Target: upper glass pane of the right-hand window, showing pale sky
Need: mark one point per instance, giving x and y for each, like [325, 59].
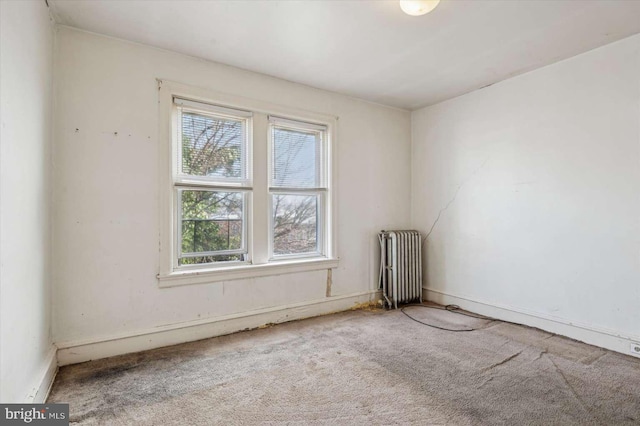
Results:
[296, 158]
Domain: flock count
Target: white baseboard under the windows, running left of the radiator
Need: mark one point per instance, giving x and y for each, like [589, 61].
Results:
[81, 351]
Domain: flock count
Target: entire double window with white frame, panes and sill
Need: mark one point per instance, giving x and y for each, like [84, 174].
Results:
[248, 188]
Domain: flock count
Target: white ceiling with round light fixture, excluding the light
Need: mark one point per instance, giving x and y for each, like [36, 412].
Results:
[367, 49]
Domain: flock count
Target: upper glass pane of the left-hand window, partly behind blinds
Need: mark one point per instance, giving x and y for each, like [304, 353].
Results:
[212, 146]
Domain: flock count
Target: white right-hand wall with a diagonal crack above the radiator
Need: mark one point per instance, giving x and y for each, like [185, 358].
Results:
[537, 184]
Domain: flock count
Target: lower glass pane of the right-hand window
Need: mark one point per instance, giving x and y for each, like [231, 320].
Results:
[295, 219]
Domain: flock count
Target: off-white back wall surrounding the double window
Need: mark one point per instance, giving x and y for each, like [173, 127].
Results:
[106, 191]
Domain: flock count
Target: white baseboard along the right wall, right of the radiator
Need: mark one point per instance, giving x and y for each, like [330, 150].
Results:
[607, 339]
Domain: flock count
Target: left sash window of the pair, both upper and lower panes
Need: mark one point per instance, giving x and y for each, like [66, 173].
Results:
[212, 183]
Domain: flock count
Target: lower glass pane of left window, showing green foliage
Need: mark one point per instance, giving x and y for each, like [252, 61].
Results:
[211, 222]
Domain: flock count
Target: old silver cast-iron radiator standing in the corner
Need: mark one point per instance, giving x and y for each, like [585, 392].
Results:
[400, 267]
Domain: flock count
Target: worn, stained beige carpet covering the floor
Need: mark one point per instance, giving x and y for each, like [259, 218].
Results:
[361, 368]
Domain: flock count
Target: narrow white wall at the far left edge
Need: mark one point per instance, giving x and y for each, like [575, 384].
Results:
[26, 353]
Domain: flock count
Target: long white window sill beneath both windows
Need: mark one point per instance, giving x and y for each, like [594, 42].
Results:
[206, 276]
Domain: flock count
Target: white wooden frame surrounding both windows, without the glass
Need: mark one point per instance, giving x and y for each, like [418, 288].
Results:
[257, 208]
